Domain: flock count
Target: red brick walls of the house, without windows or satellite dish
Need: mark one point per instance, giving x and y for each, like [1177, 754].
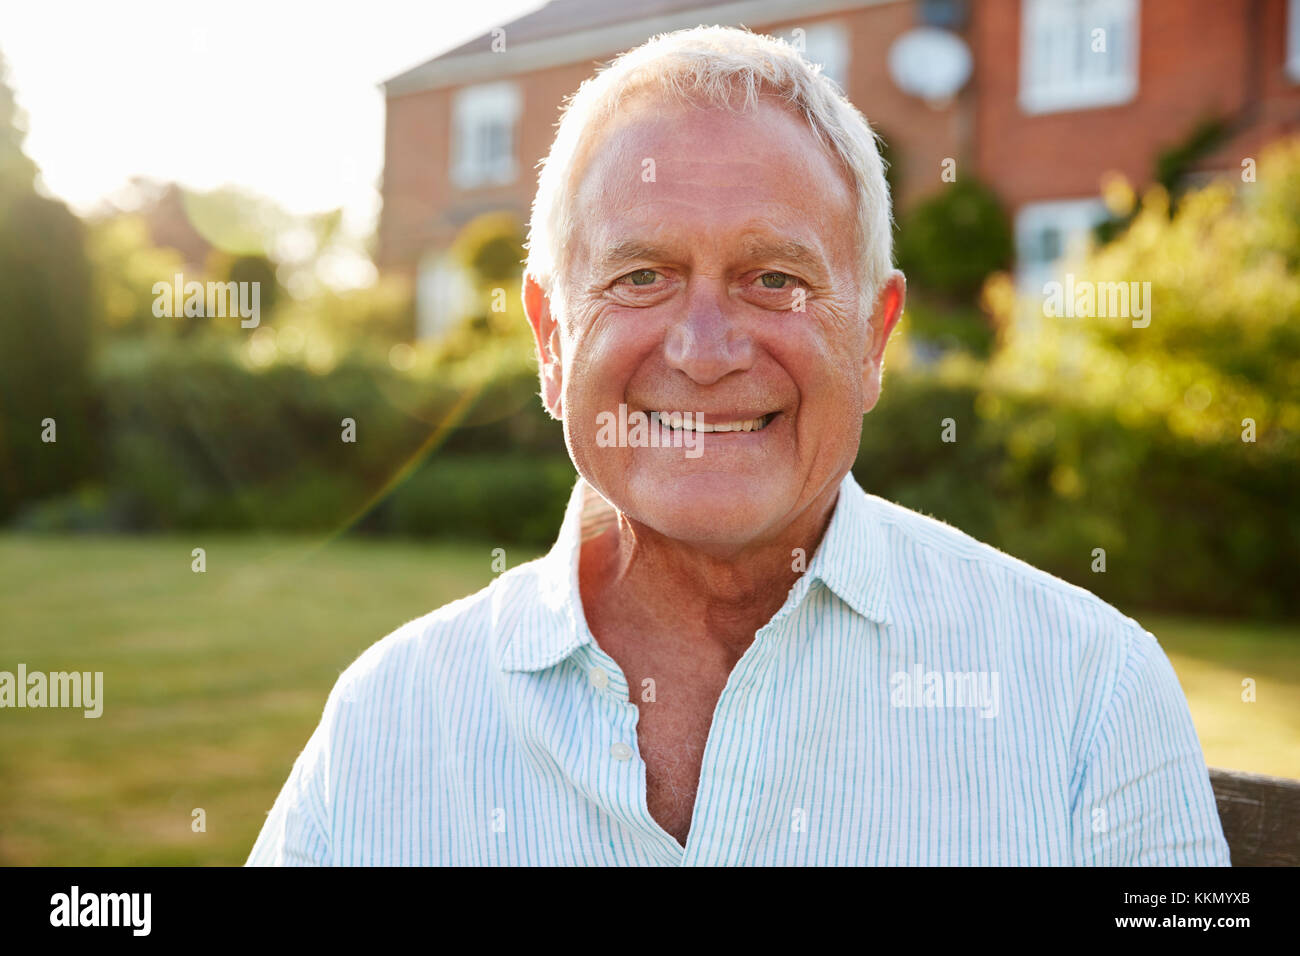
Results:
[1195, 58]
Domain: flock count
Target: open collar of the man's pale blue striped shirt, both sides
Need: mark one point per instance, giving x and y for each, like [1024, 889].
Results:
[541, 616]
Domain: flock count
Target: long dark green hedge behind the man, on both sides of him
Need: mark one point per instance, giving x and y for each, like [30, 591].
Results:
[197, 440]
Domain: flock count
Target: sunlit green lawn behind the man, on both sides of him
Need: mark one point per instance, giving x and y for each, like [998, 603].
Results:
[215, 681]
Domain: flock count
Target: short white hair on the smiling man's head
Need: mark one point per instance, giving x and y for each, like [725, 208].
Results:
[713, 66]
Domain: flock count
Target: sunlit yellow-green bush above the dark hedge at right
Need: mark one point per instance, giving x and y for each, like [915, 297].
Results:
[1221, 338]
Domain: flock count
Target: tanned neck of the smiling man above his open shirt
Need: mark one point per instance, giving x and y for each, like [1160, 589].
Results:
[634, 579]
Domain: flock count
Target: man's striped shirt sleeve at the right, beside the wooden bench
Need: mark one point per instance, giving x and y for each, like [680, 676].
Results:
[1145, 798]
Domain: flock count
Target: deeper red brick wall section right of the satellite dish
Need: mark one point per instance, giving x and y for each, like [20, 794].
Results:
[1195, 58]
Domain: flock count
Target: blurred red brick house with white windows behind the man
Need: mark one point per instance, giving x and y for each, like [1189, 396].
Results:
[1042, 119]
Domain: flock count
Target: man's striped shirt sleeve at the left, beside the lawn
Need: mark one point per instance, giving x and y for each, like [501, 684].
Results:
[296, 833]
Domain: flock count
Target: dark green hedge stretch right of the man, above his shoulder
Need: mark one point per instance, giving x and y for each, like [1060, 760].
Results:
[1185, 526]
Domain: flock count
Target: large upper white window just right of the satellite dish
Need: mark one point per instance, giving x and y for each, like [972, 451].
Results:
[1056, 54]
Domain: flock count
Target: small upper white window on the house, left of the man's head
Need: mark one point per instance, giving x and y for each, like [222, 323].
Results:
[478, 115]
